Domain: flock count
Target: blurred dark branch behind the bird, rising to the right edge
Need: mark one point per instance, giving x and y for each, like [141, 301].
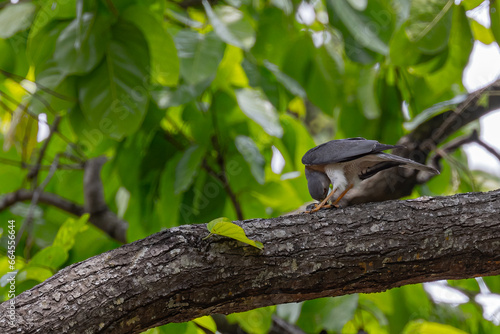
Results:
[399, 182]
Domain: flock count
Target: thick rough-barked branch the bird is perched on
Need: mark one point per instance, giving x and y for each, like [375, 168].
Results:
[175, 275]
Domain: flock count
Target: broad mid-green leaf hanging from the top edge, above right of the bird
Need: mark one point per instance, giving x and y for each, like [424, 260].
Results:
[430, 24]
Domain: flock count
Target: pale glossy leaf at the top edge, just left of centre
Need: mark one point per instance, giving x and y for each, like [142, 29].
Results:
[231, 25]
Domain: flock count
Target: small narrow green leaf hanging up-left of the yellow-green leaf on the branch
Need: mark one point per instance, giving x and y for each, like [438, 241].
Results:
[188, 167]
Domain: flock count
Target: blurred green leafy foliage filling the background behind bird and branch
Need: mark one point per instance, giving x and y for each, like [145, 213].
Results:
[191, 101]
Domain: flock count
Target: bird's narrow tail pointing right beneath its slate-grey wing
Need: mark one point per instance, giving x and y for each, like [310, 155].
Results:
[371, 164]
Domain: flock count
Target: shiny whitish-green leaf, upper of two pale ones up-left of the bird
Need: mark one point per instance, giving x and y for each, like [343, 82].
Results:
[253, 103]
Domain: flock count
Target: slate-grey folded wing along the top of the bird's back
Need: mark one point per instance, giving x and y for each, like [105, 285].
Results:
[343, 150]
